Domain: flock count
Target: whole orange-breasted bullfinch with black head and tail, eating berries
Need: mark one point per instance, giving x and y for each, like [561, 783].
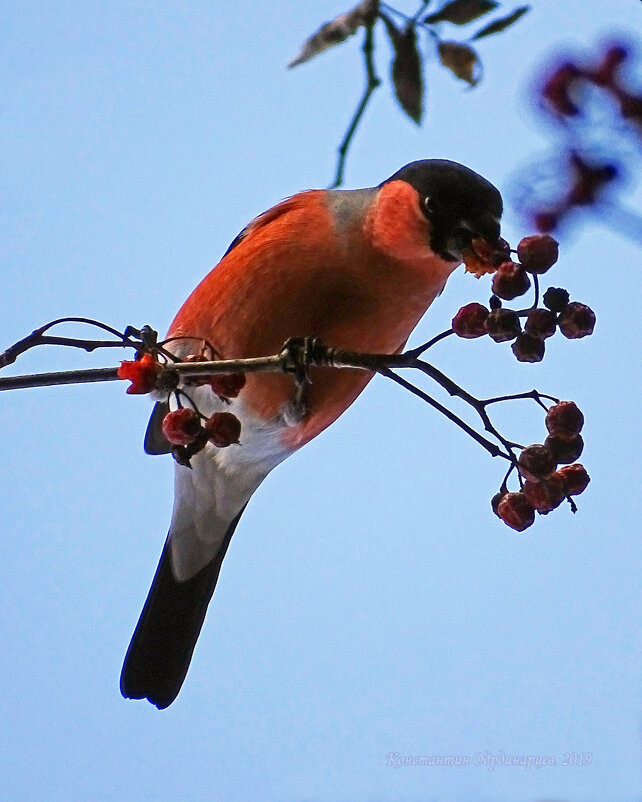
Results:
[355, 268]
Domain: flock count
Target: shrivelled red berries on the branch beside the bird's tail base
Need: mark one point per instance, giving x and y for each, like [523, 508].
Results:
[186, 429]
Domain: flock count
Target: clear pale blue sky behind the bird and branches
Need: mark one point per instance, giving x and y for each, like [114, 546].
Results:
[370, 601]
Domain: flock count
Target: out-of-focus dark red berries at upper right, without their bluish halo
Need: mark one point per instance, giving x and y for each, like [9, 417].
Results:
[564, 96]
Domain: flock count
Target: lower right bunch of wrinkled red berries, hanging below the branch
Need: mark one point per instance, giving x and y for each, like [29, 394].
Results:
[545, 485]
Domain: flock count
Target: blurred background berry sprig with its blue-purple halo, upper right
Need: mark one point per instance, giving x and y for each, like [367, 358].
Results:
[595, 117]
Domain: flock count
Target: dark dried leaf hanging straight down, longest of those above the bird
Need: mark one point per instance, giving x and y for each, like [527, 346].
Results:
[406, 69]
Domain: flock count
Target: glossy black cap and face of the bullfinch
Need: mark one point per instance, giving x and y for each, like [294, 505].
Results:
[459, 203]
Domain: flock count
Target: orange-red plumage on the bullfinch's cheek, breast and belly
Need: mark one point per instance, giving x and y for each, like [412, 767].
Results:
[296, 273]
